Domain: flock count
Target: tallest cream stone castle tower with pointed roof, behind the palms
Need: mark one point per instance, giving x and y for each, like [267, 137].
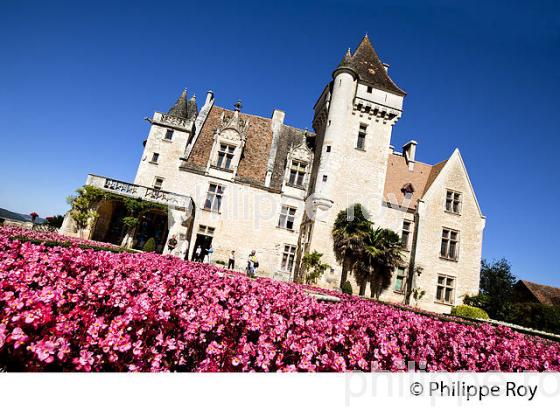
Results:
[354, 117]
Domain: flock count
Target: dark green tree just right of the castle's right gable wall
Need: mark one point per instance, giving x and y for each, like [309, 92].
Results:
[496, 284]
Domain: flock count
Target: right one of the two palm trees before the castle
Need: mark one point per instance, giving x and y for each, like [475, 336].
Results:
[380, 255]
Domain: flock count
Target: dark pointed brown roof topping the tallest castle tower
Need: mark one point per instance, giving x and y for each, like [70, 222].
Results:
[367, 64]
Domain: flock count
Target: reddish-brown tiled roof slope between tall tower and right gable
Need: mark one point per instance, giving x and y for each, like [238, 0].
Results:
[398, 177]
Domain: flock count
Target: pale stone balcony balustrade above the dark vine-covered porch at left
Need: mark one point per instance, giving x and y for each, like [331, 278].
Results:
[139, 191]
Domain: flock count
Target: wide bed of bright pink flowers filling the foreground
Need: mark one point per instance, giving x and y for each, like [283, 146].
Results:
[72, 309]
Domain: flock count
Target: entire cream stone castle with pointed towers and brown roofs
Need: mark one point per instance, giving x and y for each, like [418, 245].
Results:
[235, 181]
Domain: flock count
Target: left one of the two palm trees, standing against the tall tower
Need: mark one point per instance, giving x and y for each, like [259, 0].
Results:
[349, 231]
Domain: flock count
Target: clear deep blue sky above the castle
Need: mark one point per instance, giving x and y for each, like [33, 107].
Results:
[77, 79]
